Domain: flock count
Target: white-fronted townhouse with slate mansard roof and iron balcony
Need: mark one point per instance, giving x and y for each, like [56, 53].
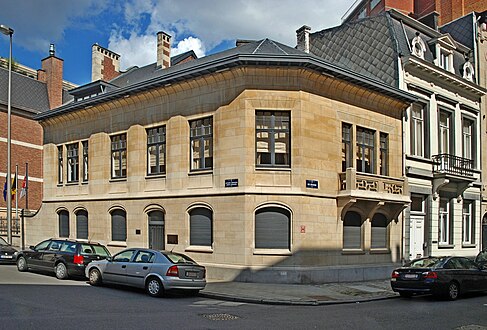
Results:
[441, 131]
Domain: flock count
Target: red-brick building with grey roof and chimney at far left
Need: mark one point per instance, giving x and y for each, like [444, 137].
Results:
[32, 93]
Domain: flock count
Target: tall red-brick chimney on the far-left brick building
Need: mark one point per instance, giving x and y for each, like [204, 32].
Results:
[52, 74]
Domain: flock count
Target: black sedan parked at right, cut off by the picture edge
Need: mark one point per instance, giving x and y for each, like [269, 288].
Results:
[441, 276]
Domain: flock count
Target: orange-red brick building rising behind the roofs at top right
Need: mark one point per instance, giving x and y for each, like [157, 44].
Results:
[448, 10]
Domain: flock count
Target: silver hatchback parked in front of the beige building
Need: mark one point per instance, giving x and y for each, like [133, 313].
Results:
[156, 271]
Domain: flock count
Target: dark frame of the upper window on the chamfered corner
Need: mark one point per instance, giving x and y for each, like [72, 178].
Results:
[270, 117]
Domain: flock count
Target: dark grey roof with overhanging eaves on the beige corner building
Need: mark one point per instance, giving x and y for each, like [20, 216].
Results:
[259, 53]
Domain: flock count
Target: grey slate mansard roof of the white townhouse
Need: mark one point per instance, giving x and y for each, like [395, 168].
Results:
[372, 46]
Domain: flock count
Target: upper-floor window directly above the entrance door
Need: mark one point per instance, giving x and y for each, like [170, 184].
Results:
[156, 150]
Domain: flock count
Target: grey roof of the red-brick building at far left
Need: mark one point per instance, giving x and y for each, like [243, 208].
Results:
[28, 95]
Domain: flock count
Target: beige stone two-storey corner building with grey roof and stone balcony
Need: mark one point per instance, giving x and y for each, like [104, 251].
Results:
[244, 159]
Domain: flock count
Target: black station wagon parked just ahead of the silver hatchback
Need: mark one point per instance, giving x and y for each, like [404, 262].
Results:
[64, 257]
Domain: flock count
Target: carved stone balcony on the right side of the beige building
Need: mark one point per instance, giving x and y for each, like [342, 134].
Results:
[372, 193]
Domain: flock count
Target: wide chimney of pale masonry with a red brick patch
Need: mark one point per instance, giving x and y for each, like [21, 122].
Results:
[105, 64]
